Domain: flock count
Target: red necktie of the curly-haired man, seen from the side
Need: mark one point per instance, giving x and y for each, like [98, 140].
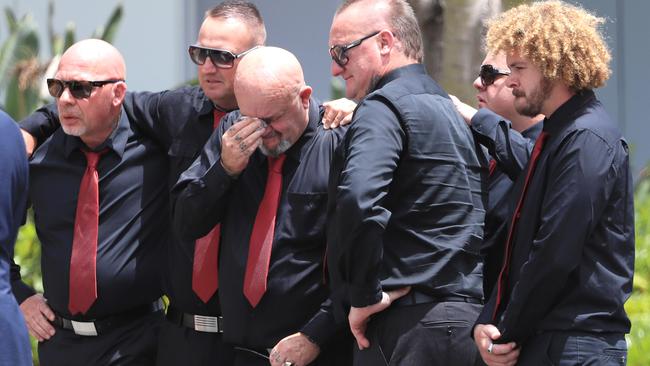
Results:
[501, 283]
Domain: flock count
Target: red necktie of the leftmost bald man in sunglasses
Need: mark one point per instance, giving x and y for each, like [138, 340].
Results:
[83, 261]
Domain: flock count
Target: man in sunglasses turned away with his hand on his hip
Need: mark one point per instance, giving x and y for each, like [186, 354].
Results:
[406, 210]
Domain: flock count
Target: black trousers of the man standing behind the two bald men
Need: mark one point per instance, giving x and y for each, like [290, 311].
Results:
[180, 345]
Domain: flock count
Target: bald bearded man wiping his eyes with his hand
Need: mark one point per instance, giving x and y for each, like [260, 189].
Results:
[263, 176]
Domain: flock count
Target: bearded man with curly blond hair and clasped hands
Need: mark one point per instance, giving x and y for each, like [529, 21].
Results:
[569, 256]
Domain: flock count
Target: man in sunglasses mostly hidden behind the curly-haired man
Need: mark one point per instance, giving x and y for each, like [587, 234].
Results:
[496, 106]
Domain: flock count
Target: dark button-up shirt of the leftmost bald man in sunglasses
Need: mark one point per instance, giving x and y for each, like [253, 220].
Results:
[133, 218]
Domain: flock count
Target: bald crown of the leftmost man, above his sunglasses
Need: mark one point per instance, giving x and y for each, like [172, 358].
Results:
[99, 59]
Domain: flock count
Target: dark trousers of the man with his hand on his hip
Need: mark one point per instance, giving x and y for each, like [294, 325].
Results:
[423, 334]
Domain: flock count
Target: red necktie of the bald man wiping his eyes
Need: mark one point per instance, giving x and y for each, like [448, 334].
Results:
[259, 250]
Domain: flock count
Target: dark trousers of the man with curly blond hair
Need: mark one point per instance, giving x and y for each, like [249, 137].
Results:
[574, 348]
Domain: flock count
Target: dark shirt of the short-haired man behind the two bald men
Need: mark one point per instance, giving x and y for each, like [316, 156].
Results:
[180, 121]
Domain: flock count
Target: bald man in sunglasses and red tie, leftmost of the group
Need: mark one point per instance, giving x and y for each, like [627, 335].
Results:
[100, 203]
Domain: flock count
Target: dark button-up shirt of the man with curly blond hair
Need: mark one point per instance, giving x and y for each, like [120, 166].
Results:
[573, 247]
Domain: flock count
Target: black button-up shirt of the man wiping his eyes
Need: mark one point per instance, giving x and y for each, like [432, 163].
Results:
[296, 298]
